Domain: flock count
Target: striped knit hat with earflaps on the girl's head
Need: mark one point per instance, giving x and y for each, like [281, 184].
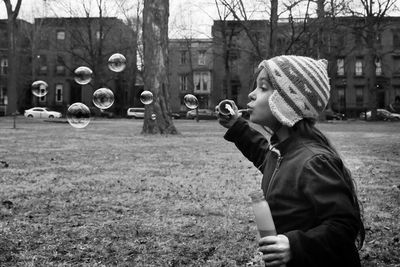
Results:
[302, 87]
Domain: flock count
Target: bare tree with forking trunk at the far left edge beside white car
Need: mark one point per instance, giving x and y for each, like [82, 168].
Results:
[12, 89]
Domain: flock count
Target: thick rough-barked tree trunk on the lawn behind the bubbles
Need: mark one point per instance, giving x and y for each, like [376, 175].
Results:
[155, 42]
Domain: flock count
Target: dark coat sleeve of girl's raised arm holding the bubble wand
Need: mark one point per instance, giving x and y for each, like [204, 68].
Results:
[252, 144]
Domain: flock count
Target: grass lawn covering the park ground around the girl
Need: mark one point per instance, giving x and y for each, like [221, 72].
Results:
[108, 196]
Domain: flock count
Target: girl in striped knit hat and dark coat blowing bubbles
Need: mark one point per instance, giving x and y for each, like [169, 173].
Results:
[309, 190]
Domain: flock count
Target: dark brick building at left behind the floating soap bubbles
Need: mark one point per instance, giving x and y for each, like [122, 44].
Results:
[63, 44]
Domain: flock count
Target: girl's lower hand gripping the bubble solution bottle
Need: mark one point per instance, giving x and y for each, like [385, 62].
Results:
[276, 250]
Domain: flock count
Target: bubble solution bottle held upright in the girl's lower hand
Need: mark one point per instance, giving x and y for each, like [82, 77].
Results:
[262, 213]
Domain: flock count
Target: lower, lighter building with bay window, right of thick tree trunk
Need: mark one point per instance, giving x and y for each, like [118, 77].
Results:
[190, 72]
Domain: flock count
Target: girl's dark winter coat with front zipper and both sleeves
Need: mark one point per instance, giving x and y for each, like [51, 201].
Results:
[311, 203]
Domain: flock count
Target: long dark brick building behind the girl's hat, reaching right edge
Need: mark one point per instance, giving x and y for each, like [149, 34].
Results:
[344, 47]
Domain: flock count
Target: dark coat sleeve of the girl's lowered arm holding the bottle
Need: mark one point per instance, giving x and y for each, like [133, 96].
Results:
[332, 241]
